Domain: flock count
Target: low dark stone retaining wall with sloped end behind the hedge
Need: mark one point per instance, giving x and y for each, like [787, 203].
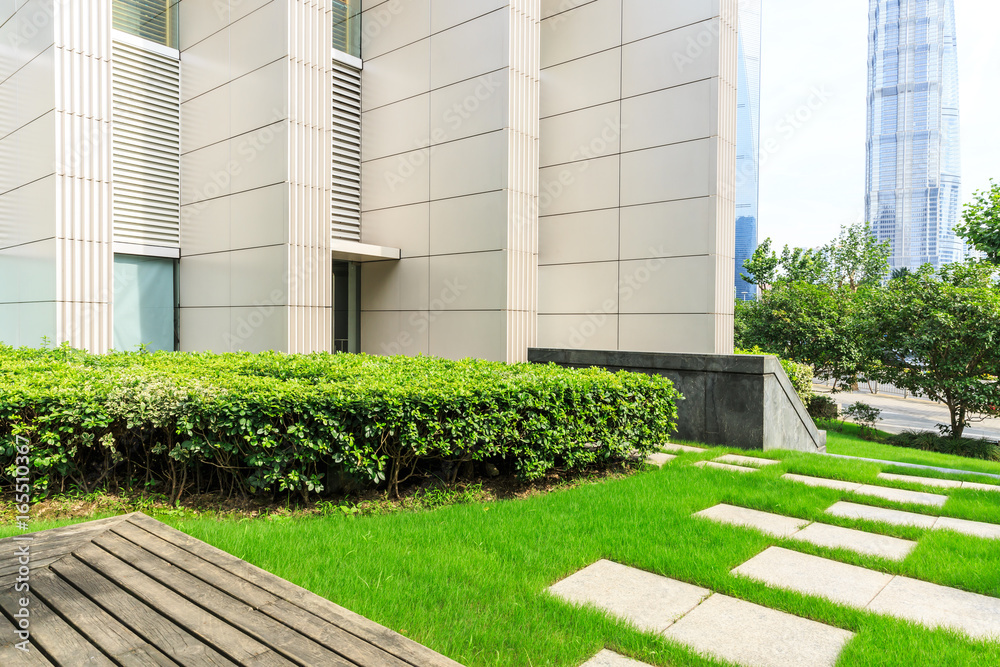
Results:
[743, 401]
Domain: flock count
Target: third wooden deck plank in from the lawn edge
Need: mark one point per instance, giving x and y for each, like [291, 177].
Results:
[260, 626]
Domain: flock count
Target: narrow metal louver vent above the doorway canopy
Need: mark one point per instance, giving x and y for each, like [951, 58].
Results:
[346, 153]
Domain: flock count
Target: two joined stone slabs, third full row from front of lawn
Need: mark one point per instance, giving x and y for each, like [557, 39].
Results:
[820, 534]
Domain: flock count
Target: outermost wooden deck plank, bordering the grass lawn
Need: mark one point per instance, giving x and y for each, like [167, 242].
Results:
[392, 642]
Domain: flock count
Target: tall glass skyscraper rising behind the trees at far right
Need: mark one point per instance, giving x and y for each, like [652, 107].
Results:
[913, 197]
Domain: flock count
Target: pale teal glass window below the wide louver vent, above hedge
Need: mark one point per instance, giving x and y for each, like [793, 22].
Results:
[144, 303]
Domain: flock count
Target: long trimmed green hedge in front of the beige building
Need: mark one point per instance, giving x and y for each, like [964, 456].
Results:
[254, 423]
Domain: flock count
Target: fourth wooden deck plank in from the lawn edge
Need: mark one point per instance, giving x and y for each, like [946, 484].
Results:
[223, 637]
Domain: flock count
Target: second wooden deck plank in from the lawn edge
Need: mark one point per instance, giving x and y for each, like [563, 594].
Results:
[323, 632]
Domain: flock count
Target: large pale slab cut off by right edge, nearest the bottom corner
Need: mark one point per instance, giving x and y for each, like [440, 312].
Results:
[939, 606]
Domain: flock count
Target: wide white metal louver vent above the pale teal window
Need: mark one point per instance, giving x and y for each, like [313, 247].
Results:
[146, 147]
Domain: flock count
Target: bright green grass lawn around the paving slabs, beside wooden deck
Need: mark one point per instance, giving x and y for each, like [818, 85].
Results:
[470, 580]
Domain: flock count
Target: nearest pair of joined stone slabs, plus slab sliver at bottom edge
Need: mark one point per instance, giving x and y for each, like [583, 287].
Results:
[710, 624]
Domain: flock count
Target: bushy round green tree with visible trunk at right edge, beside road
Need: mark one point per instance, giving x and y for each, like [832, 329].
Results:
[937, 334]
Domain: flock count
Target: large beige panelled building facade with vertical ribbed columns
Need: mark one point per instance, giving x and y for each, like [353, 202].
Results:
[447, 177]
